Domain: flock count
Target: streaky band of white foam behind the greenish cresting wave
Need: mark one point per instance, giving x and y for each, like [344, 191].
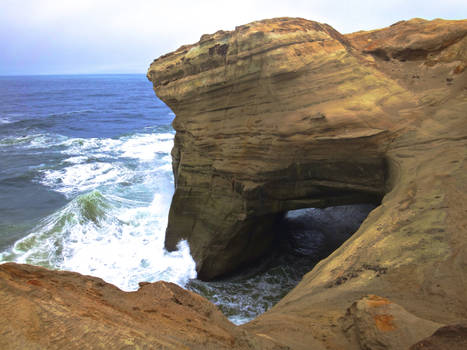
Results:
[95, 162]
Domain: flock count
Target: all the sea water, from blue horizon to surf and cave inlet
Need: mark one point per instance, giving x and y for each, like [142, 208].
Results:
[86, 184]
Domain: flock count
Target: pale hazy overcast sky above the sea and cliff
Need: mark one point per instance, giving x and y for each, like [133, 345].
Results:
[125, 36]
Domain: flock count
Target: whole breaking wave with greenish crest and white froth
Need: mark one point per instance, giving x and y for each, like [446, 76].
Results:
[119, 240]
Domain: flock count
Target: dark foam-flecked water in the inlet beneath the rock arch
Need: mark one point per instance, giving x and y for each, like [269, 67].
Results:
[305, 237]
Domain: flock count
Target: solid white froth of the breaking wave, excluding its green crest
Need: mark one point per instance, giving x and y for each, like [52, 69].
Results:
[129, 248]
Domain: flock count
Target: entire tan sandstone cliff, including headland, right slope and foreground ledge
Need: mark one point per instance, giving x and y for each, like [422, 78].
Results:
[278, 115]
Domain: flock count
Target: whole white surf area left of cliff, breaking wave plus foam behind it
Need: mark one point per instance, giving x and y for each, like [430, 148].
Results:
[111, 228]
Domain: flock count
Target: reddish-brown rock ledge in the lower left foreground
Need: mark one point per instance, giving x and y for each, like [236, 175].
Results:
[42, 309]
